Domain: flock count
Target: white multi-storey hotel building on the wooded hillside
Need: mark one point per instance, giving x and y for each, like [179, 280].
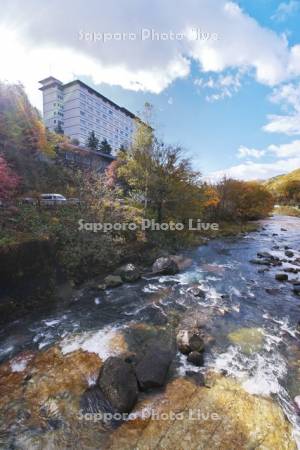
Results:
[78, 109]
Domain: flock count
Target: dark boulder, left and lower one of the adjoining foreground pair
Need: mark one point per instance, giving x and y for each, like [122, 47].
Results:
[118, 383]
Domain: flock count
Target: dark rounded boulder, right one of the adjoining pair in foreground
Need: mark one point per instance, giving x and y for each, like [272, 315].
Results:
[151, 371]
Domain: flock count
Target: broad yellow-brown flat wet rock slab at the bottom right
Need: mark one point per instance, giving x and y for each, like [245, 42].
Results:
[240, 421]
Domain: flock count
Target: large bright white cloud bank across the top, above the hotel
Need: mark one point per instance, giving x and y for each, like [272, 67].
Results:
[50, 31]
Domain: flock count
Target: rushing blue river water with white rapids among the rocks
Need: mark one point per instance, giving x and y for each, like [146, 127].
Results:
[252, 318]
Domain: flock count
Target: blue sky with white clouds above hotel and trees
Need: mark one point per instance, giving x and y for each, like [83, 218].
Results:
[223, 76]
